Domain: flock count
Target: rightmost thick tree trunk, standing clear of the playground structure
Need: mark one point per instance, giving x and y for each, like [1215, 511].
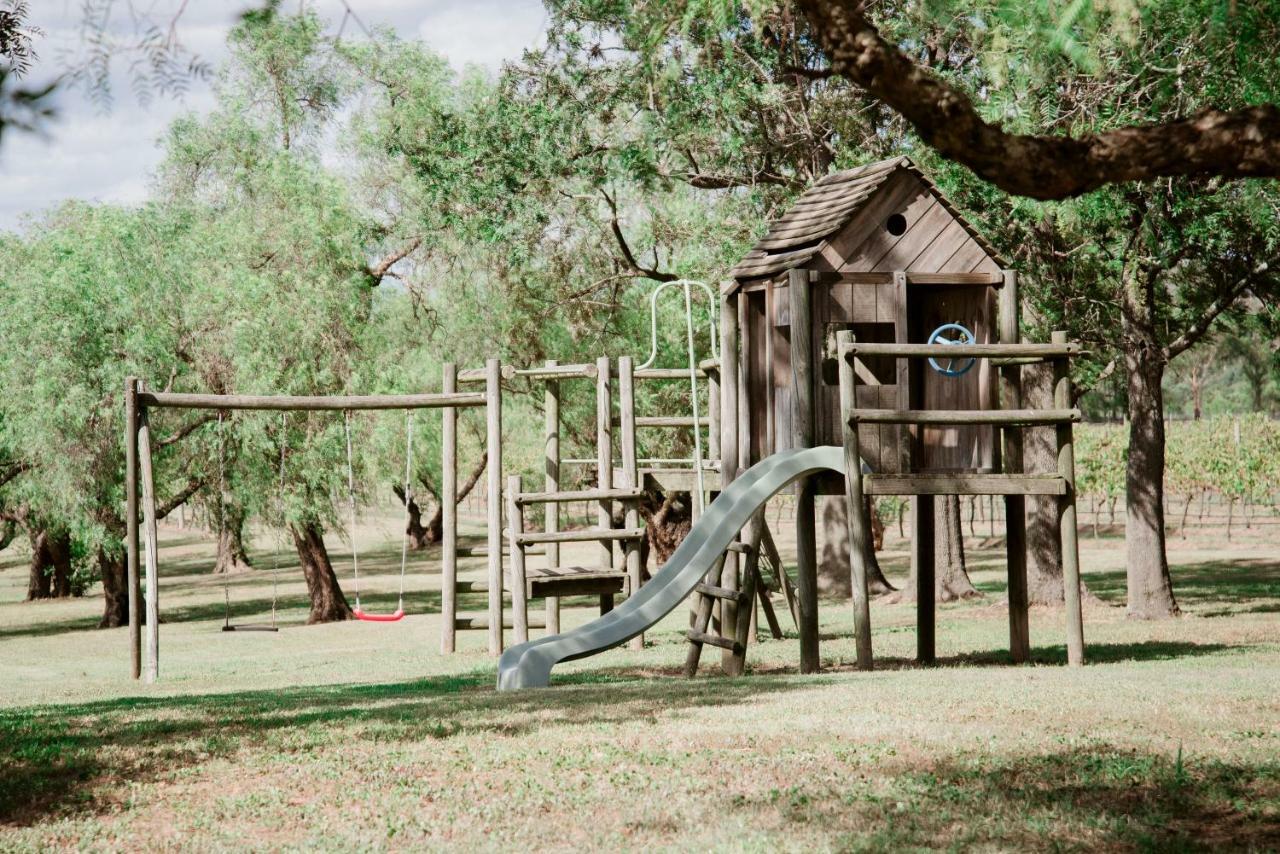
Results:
[1151, 592]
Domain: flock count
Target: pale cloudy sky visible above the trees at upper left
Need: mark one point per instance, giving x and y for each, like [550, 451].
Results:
[108, 156]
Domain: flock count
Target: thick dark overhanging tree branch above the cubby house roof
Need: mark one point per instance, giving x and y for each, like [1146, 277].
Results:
[1235, 144]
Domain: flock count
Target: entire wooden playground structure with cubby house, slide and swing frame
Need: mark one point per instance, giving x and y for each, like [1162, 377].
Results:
[820, 386]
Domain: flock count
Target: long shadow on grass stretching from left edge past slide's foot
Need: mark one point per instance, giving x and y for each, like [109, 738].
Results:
[61, 760]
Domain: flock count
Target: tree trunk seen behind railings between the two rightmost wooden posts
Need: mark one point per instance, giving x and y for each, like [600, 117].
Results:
[1044, 533]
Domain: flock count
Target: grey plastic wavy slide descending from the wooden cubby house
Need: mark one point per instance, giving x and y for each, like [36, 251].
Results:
[531, 665]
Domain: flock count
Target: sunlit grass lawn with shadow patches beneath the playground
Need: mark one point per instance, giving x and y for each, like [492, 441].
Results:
[358, 737]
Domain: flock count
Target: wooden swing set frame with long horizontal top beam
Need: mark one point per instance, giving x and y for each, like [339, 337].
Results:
[141, 523]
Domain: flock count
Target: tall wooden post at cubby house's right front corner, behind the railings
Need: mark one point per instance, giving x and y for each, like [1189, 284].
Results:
[1012, 456]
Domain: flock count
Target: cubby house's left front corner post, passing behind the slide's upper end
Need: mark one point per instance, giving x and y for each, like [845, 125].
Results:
[802, 437]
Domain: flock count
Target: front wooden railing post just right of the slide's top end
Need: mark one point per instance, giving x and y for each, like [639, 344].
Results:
[858, 535]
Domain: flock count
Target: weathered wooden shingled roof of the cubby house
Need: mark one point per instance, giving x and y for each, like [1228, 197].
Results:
[822, 212]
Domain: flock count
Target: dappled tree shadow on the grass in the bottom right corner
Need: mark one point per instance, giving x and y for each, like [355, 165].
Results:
[1098, 797]
